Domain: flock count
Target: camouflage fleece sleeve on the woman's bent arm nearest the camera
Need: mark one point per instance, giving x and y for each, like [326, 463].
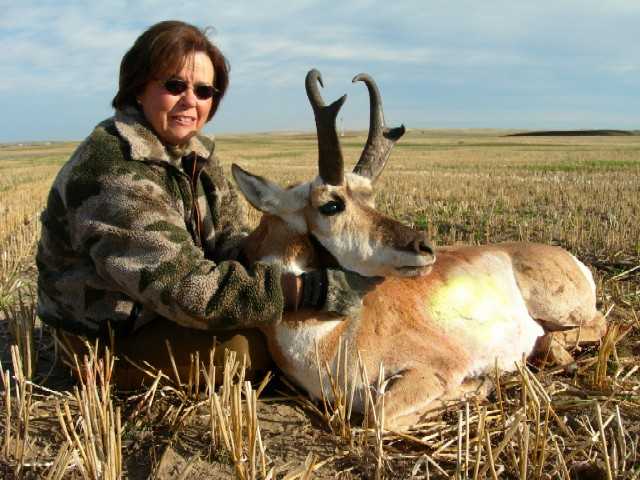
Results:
[132, 228]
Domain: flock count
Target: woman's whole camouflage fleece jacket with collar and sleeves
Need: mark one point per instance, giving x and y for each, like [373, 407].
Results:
[124, 241]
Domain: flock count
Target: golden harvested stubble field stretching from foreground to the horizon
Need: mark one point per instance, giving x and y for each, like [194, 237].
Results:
[461, 186]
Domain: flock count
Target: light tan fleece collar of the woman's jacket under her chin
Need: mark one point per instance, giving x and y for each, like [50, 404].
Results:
[145, 144]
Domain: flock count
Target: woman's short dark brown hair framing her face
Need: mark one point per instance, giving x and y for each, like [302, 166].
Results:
[161, 51]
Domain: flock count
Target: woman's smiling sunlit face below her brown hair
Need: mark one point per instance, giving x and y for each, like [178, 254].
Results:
[176, 118]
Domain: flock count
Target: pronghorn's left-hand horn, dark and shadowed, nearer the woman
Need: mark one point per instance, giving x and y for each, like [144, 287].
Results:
[330, 161]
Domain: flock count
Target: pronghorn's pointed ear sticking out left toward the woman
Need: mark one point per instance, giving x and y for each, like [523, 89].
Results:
[265, 195]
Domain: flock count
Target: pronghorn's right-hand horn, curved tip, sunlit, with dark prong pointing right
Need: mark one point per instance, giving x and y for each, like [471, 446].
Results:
[381, 139]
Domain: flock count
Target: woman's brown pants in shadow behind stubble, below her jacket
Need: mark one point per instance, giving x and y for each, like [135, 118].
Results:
[149, 345]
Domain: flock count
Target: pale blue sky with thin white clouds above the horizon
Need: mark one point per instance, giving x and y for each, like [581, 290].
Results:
[439, 64]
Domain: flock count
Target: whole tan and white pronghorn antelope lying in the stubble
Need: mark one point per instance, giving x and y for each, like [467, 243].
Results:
[438, 327]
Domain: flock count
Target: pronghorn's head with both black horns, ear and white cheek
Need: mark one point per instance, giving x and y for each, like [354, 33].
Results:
[337, 209]
